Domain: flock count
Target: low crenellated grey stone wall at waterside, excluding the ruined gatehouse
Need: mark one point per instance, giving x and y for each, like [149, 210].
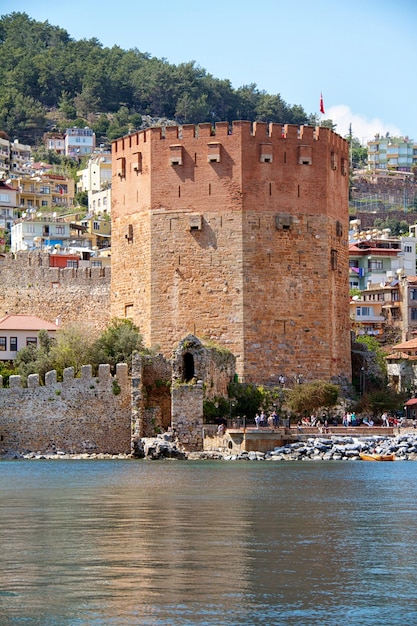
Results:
[79, 415]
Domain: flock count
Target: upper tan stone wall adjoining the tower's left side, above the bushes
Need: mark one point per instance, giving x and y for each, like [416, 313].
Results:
[29, 286]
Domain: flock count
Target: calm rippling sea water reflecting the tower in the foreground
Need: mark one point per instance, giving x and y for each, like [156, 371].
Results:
[207, 542]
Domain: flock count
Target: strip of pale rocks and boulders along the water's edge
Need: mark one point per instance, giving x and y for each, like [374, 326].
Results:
[326, 448]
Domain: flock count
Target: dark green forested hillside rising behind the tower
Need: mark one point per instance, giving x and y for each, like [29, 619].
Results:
[50, 81]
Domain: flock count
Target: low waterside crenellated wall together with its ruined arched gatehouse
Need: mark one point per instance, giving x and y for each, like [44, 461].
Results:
[107, 414]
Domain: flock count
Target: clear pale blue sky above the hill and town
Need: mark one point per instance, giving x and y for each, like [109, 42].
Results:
[361, 54]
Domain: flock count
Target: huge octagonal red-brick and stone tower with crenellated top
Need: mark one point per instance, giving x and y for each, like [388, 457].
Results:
[239, 235]
